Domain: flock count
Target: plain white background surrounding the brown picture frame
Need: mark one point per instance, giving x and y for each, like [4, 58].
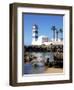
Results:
[4, 46]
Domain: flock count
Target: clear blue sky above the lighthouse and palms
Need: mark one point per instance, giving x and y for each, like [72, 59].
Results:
[44, 22]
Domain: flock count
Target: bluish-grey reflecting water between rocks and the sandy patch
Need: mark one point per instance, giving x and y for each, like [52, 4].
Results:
[37, 65]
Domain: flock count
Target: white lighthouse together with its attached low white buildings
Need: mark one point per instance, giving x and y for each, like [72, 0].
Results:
[42, 40]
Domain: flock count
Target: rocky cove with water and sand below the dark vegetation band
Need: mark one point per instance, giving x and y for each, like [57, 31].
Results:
[43, 62]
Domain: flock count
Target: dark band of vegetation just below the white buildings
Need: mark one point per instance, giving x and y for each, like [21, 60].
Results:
[43, 48]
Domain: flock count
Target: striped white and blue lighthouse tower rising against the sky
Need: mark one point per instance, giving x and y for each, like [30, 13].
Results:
[34, 33]
